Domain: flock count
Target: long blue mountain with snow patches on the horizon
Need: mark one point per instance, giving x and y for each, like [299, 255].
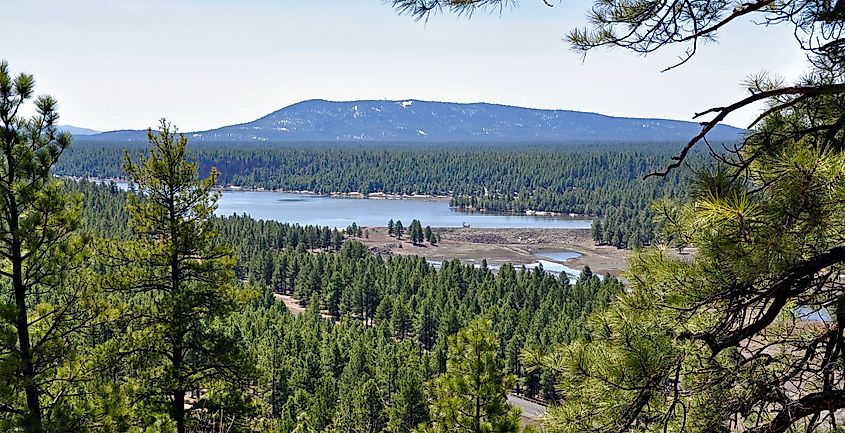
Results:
[423, 121]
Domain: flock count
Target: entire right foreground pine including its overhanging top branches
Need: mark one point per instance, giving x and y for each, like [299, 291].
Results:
[747, 333]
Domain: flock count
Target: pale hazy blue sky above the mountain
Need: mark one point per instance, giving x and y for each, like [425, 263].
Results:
[202, 64]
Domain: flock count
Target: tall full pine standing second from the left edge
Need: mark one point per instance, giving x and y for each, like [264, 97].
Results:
[178, 281]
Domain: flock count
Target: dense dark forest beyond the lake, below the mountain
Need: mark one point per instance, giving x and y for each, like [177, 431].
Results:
[594, 179]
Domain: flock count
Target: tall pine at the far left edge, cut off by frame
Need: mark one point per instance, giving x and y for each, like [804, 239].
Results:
[43, 301]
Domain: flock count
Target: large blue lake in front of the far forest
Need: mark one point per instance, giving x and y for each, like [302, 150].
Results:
[340, 212]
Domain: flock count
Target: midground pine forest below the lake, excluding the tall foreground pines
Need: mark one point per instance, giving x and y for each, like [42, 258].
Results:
[374, 328]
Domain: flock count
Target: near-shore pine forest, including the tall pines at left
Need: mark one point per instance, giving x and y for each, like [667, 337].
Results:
[140, 311]
